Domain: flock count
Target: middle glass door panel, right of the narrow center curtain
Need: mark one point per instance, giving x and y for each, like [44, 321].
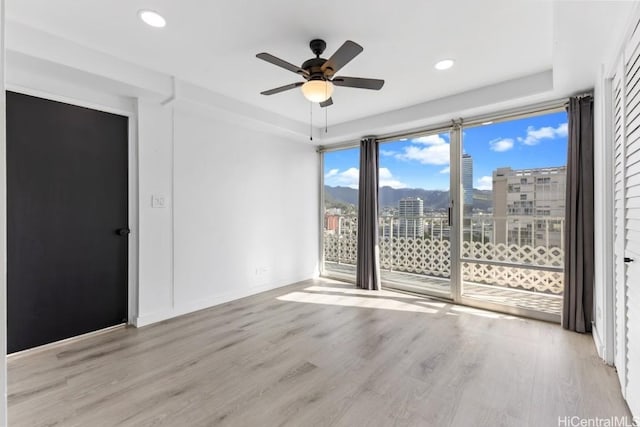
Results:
[415, 214]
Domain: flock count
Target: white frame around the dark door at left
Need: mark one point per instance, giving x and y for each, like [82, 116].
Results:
[133, 188]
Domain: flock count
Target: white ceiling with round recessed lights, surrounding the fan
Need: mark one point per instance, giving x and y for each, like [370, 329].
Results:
[213, 44]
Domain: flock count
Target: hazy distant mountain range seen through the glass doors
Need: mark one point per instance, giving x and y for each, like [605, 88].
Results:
[389, 197]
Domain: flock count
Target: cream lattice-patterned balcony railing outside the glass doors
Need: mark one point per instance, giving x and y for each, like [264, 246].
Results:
[524, 252]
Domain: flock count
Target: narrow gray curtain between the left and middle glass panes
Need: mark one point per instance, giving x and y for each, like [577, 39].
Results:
[368, 257]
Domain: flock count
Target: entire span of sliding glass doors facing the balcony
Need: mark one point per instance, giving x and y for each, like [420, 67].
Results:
[485, 230]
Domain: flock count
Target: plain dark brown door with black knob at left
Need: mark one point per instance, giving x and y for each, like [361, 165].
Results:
[66, 220]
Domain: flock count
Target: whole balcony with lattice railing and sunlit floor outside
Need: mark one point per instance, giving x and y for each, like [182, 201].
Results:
[513, 261]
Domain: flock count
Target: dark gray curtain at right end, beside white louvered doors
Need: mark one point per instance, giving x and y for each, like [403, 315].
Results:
[578, 263]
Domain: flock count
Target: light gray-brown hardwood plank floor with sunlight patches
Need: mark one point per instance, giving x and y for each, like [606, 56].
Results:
[319, 353]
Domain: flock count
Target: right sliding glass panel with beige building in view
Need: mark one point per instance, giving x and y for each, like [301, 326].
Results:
[514, 177]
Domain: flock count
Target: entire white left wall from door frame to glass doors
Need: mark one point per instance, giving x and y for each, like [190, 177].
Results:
[241, 215]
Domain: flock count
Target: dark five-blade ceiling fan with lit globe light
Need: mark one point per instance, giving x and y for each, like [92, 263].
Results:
[319, 73]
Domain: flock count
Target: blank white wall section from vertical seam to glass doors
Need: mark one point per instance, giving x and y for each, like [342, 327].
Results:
[246, 216]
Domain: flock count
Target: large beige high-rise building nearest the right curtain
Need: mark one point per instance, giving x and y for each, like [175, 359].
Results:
[528, 205]
